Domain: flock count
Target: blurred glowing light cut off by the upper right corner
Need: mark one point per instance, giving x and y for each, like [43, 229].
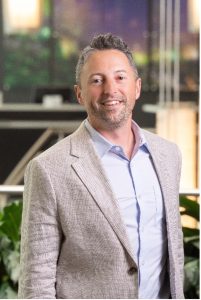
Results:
[194, 15]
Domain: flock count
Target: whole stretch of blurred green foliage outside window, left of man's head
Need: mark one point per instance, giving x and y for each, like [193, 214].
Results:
[30, 60]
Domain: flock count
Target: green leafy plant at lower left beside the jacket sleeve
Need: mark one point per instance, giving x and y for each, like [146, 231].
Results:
[10, 220]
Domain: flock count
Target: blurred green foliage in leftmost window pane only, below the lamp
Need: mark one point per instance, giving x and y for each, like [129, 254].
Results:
[26, 60]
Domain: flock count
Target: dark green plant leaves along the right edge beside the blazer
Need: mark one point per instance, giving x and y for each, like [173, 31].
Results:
[191, 250]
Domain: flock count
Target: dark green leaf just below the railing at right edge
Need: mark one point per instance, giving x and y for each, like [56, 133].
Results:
[191, 207]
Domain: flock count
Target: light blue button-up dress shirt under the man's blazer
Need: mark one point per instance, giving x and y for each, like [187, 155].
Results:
[137, 190]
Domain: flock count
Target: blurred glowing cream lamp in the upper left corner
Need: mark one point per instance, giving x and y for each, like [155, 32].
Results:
[21, 15]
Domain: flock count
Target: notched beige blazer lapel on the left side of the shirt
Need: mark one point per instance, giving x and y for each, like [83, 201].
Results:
[90, 171]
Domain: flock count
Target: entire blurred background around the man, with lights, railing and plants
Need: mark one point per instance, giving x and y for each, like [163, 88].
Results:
[40, 41]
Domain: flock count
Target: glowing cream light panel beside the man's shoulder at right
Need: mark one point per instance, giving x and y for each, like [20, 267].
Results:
[178, 124]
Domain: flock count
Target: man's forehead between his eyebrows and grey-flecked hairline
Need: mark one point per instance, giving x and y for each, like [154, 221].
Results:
[111, 58]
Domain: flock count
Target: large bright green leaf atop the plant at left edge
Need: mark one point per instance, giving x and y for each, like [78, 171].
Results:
[11, 221]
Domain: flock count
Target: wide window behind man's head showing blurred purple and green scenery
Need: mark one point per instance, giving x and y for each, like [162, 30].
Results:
[45, 54]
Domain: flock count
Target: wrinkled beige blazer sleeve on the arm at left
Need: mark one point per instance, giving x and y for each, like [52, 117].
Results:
[40, 235]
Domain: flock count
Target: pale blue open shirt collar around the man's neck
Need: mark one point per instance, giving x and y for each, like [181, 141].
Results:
[103, 145]
